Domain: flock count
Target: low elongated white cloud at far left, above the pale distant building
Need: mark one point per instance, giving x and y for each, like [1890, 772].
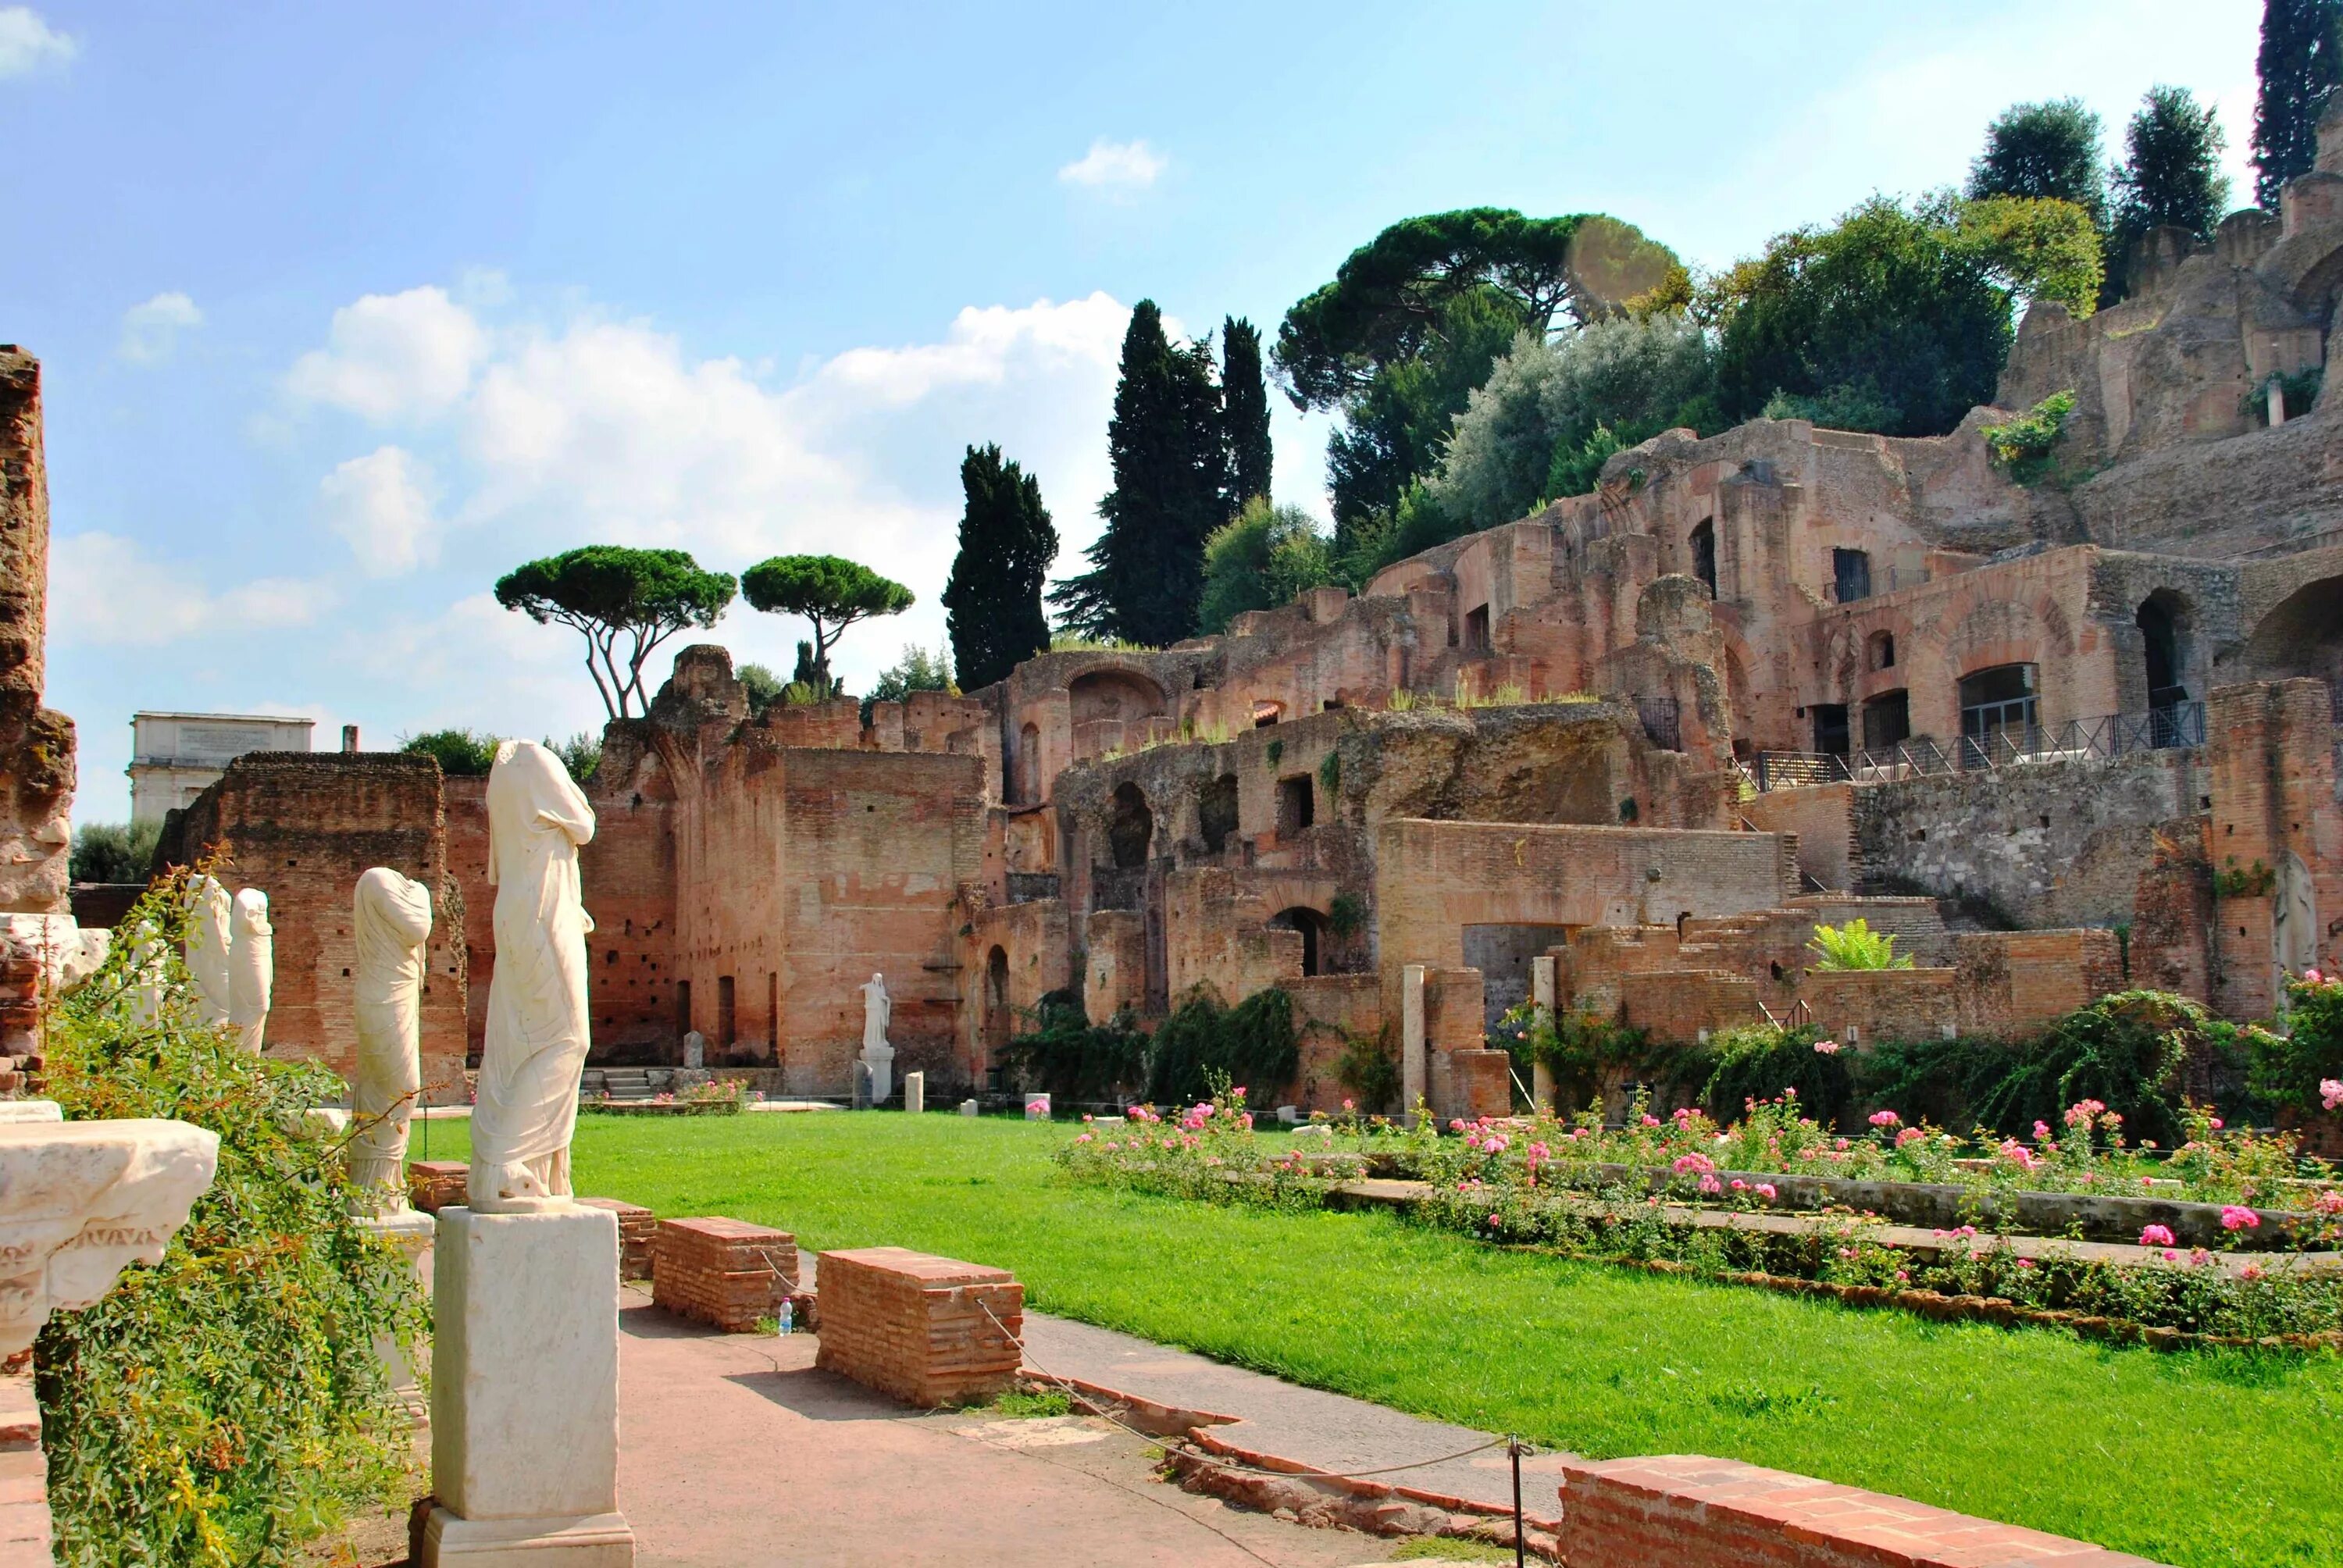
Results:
[109, 592]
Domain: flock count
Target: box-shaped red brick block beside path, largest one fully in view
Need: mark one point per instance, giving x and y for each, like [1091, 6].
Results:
[920, 1328]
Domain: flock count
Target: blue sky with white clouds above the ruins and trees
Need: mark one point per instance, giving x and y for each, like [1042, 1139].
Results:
[346, 311]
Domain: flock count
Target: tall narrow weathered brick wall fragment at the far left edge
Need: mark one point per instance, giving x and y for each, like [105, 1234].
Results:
[36, 744]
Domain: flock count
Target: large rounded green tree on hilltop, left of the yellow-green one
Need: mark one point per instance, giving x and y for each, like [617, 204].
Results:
[1878, 313]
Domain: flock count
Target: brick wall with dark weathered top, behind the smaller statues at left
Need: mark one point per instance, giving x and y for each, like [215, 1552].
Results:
[301, 829]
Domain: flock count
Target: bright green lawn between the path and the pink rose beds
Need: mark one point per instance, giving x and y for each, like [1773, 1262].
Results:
[2185, 1459]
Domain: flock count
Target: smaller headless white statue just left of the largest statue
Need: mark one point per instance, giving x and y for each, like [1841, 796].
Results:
[390, 925]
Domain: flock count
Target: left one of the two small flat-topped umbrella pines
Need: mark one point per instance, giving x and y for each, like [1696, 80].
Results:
[624, 604]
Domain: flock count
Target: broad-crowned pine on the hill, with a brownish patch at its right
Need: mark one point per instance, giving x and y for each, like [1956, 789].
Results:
[1414, 320]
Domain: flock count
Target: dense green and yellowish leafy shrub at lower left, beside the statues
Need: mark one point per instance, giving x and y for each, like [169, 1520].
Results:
[228, 1405]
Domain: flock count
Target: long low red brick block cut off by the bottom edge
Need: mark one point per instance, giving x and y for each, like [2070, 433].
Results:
[1672, 1511]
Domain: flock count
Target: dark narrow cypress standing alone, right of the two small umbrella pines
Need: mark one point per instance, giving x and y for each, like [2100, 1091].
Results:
[992, 604]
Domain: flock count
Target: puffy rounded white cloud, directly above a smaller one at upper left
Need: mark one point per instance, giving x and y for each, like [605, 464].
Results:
[395, 357]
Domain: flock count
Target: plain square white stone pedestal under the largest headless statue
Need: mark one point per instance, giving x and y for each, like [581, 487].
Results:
[526, 1393]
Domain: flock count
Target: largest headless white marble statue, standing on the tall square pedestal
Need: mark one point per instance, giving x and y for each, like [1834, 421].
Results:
[538, 1023]
